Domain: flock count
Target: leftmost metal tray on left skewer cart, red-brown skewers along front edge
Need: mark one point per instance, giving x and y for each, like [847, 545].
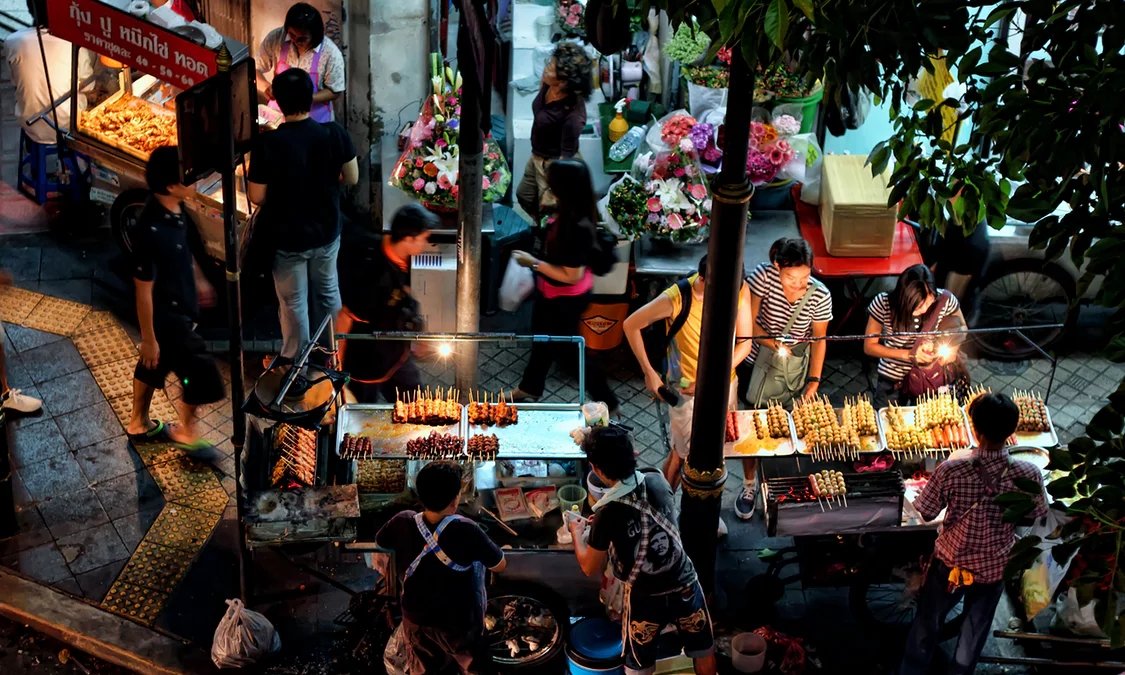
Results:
[370, 431]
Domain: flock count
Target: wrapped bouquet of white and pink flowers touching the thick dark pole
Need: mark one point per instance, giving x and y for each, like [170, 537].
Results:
[679, 202]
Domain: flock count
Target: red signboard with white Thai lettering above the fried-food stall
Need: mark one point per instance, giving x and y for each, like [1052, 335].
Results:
[119, 35]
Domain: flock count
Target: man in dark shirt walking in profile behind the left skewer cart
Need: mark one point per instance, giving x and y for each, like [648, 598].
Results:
[376, 290]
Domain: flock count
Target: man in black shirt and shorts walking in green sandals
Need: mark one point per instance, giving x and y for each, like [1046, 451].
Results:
[170, 289]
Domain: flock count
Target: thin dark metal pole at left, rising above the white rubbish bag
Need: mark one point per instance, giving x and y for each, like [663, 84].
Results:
[233, 302]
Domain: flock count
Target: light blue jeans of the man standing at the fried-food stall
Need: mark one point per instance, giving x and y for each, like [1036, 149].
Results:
[309, 291]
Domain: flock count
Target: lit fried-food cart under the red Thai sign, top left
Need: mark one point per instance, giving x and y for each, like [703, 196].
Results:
[131, 106]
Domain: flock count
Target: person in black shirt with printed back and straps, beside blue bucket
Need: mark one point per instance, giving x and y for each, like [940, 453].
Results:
[634, 527]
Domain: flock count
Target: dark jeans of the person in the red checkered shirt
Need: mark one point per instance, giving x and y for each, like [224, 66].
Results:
[934, 604]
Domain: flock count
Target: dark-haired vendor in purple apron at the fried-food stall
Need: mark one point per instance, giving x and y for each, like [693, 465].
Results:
[301, 43]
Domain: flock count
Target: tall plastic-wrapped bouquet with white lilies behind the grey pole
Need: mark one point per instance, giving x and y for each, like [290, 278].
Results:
[428, 169]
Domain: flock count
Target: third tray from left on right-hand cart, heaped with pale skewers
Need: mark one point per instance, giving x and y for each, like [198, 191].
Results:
[934, 427]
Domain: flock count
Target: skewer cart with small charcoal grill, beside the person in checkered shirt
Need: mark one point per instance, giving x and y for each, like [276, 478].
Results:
[841, 482]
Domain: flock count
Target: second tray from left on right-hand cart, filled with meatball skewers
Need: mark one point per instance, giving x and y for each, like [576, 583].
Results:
[826, 433]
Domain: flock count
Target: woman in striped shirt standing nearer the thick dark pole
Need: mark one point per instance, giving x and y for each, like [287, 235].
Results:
[778, 295]
